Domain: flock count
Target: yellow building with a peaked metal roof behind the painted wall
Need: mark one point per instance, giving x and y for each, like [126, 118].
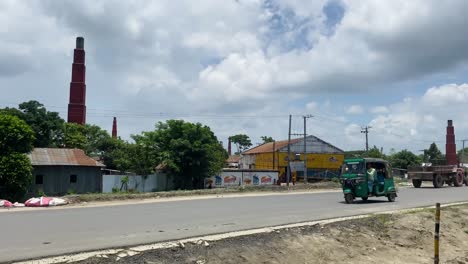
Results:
[323, 159]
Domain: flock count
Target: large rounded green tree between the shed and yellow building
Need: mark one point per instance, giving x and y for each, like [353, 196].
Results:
[190, 152]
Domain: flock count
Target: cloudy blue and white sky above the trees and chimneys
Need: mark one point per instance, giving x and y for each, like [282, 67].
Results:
[243, 66]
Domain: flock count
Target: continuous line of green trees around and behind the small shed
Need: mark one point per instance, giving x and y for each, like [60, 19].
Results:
[188, 152]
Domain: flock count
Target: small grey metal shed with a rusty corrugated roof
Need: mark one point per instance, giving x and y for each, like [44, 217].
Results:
[58, 171]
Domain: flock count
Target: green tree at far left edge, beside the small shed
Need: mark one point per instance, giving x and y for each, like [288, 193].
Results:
[16, 139]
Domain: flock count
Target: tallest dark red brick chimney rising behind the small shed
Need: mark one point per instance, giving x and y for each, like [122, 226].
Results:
[77, 103]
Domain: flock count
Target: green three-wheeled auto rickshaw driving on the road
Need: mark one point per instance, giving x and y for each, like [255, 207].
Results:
[355, 179]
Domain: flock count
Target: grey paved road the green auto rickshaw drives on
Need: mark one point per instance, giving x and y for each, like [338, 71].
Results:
[32, 234]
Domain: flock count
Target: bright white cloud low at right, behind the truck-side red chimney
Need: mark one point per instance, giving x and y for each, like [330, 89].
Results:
[416, 122]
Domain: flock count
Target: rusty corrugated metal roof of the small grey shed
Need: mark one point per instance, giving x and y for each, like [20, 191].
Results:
[61, 157]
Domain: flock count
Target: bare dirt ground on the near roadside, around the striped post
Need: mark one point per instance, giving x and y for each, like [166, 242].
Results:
[388, 238]
